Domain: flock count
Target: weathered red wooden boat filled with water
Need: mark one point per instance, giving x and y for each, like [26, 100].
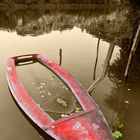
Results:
[88, 124]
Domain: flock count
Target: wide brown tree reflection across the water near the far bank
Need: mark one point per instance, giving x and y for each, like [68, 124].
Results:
[113, 24]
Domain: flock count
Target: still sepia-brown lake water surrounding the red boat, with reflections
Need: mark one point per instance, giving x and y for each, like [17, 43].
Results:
[77, 33]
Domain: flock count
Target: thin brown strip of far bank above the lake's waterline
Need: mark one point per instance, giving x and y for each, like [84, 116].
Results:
[69, 1]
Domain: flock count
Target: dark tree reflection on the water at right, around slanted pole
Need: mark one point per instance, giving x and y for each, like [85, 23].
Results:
[124, 96]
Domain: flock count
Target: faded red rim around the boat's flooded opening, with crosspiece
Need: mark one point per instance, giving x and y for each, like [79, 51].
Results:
[40, 117]
